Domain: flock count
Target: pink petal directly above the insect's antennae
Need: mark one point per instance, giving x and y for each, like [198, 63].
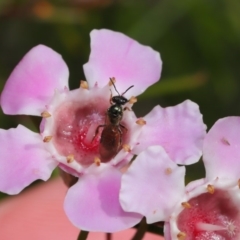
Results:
[113, 54]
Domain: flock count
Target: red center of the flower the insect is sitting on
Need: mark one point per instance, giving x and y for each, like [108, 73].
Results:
[75, 128]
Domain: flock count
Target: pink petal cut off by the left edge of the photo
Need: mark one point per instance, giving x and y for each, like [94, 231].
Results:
[23, 159]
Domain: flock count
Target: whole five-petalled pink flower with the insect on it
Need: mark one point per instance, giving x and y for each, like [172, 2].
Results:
[39, 86]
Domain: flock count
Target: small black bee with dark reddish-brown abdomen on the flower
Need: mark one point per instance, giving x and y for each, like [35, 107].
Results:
[111, 137]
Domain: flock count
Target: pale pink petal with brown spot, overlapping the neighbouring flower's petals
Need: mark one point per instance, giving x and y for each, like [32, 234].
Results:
[152, 185]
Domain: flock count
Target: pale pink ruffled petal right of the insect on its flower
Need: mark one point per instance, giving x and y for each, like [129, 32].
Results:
[179, 130]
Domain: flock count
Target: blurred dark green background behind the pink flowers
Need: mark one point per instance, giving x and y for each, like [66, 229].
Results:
[199, 42]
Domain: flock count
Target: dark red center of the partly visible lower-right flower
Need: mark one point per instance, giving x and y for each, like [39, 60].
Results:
[211, 216]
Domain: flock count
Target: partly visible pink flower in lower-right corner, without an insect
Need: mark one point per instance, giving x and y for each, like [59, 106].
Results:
[206, 208]
